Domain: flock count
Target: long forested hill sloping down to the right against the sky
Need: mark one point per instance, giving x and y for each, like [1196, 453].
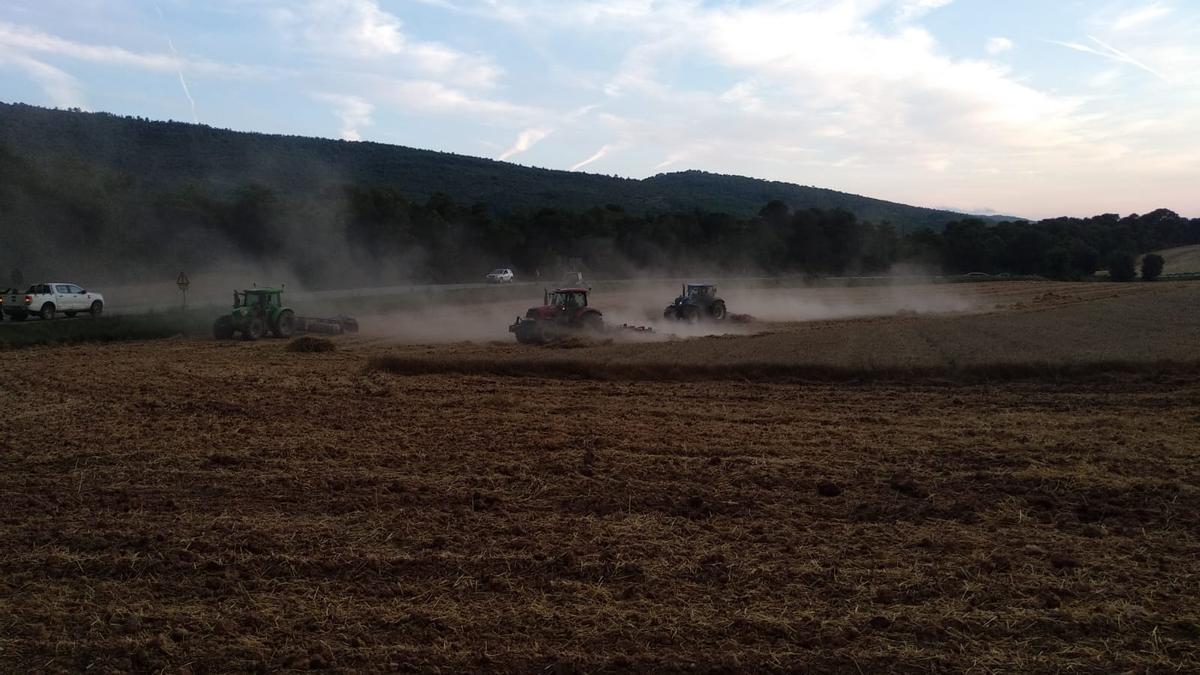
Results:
[171, 156]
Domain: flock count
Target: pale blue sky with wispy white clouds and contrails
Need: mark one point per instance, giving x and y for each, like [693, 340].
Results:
[1035, 109]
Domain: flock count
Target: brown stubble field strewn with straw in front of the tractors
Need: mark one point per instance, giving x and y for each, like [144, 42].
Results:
[1013, 486]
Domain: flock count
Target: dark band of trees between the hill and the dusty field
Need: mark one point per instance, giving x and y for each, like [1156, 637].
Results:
[70, 214]
